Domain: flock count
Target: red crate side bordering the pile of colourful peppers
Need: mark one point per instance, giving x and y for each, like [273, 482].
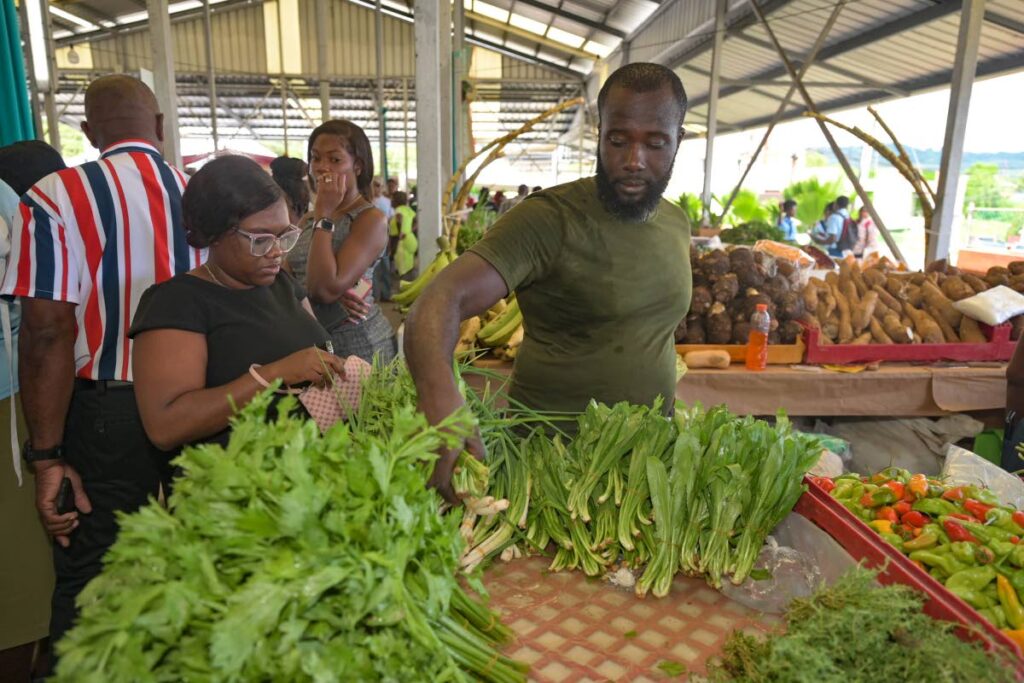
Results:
[865, 544]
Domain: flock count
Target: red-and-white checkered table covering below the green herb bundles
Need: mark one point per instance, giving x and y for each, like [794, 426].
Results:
[572, 628]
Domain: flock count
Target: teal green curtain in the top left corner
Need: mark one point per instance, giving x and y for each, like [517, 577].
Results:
[16, 115]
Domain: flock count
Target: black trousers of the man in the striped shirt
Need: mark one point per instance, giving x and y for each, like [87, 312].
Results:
[120, 469]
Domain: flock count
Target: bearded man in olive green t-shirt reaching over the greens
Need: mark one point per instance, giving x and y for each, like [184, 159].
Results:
[601, 268]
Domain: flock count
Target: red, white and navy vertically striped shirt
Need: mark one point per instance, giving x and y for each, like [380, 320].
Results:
[99, 236]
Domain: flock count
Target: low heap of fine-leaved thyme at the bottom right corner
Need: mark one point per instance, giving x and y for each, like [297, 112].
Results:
[857, 631]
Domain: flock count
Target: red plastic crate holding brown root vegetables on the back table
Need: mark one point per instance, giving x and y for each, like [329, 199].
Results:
[1000, 348]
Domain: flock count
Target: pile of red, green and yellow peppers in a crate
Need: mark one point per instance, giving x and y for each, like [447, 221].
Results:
[962, 536]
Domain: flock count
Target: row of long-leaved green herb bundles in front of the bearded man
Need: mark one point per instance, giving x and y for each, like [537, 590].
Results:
[699, 494]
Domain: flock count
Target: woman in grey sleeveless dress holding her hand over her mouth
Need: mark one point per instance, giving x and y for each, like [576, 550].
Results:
[343, 243]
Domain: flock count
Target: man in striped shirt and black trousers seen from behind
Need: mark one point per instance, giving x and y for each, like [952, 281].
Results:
[87, 243]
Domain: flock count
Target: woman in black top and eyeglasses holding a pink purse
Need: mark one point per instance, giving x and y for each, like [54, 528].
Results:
[200, 337]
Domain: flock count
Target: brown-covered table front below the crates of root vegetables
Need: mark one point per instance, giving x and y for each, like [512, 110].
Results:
[892, 391]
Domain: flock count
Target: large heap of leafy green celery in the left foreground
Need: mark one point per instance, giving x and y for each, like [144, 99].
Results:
[292, 557]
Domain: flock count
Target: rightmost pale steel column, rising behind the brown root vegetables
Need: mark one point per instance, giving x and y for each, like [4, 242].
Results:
[972, 19]
